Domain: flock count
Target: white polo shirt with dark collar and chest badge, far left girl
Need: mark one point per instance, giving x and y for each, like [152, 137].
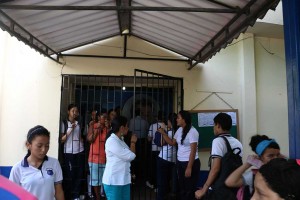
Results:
[39, 182]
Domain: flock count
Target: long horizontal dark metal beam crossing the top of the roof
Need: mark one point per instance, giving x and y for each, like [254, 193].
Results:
[119, 8]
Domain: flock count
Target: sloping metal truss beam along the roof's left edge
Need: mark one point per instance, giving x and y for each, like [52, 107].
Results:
[22, 34]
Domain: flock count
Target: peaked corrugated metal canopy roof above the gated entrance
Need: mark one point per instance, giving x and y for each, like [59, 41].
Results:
[196, 29]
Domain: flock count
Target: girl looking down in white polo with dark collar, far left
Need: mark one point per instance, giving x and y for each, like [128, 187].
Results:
[37, 173]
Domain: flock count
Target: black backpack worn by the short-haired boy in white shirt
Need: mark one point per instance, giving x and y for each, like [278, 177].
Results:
[229, 162]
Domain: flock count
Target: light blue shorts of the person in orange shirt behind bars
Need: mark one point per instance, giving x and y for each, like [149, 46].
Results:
[96, 173]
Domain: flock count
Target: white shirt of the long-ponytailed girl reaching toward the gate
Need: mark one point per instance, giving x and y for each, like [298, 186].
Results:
[184, 150]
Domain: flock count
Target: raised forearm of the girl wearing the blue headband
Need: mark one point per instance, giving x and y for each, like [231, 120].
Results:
[235, 179]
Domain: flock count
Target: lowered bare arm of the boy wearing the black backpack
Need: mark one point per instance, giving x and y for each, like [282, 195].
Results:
[213, 173]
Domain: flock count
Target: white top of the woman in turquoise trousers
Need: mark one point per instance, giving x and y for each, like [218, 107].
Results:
[118, 158]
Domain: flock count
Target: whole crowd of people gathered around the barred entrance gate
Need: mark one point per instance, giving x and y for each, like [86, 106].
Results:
[110, 157]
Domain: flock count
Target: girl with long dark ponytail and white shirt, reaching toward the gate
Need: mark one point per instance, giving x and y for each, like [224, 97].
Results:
[188, 163]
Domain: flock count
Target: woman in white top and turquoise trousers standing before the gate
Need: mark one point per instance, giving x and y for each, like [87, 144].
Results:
[117, 177]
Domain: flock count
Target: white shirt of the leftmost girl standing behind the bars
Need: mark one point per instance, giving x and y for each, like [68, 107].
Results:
[73, 144]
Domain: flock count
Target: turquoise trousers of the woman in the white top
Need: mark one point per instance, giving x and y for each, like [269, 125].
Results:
[115, 192]
